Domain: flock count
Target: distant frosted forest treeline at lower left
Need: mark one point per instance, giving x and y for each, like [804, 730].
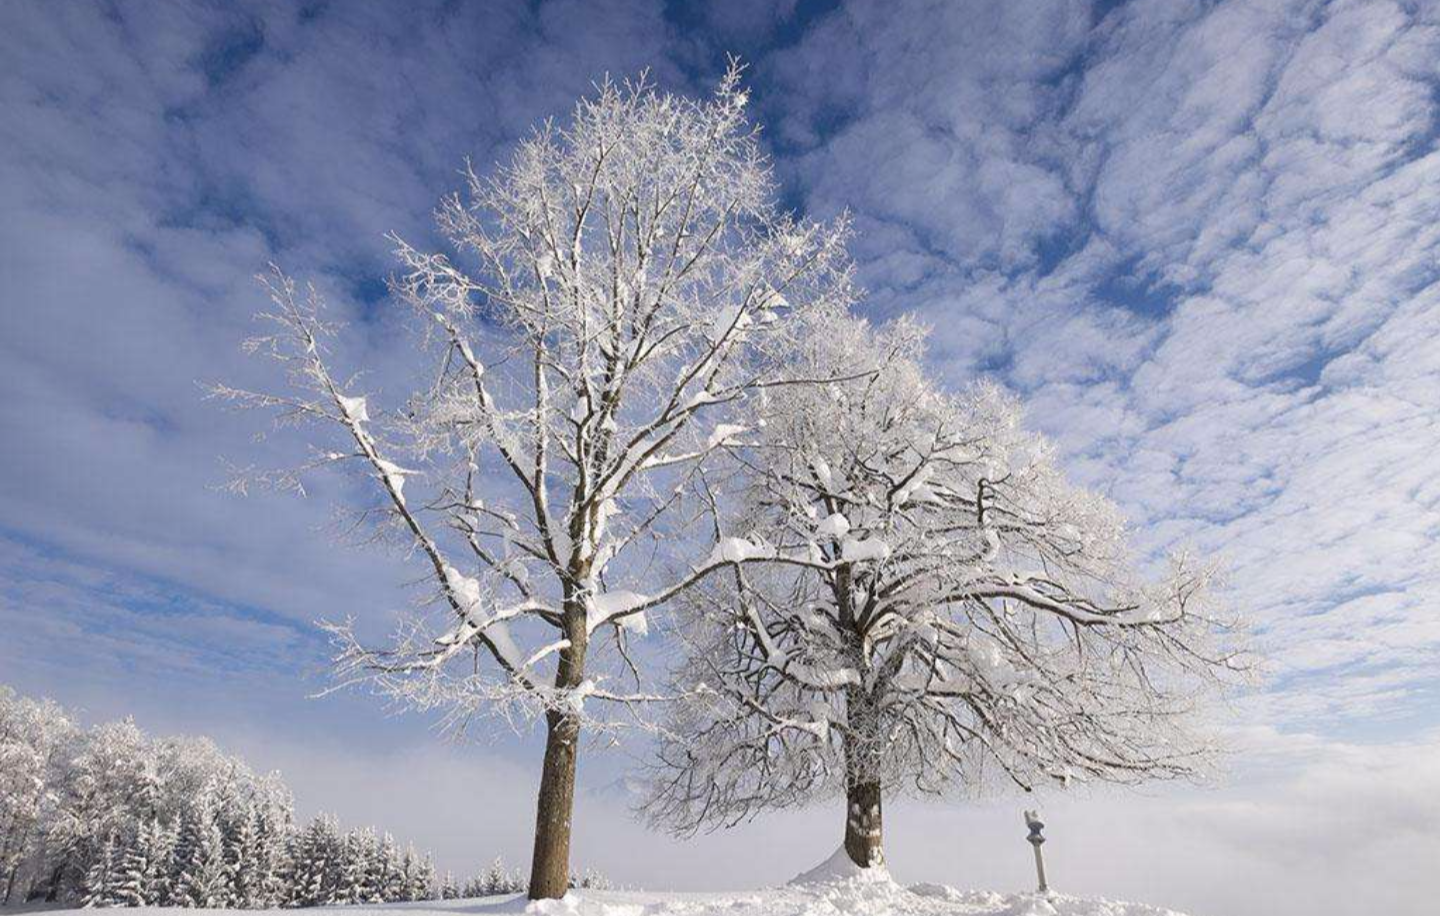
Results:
[112, 817]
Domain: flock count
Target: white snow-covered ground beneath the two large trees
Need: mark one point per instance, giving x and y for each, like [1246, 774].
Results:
[836, 898]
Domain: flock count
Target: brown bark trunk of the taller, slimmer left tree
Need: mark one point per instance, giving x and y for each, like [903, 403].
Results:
[551, 865]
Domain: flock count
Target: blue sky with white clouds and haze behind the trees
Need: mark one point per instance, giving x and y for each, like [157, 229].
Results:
[1200, 238]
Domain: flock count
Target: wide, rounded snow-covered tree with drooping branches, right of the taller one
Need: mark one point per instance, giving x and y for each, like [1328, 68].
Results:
[942, 604]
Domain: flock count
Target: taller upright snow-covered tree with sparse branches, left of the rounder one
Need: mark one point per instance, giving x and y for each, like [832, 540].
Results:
[616, 293]
